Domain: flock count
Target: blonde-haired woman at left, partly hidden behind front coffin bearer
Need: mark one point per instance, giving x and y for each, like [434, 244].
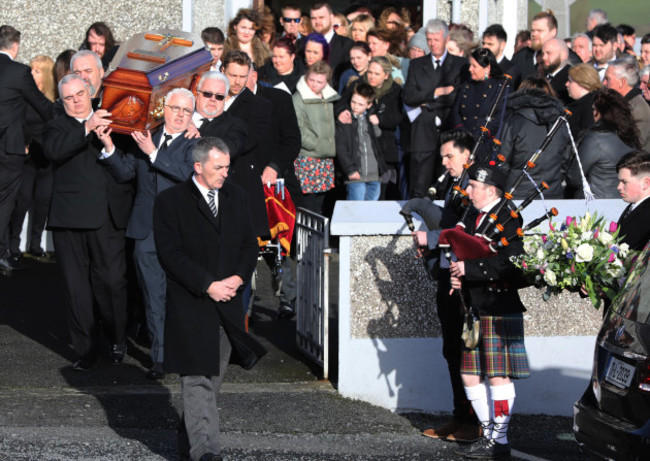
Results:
[36, 188]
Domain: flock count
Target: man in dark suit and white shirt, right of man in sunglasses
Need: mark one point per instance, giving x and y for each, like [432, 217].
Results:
[322, 18]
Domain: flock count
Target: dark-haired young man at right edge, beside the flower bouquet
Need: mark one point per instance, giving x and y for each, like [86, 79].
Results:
[634, 186]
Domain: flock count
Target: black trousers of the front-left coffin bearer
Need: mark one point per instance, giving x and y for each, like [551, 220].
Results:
[93, 265]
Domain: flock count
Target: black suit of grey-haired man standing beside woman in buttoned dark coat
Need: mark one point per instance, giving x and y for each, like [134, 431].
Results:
[420, 84]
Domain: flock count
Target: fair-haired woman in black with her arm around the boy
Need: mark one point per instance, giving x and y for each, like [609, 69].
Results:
[387, 107]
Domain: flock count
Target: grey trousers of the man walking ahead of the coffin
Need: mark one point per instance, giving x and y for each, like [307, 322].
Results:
[201, 405]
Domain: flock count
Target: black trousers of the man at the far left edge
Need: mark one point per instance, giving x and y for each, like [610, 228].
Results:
[11, 176]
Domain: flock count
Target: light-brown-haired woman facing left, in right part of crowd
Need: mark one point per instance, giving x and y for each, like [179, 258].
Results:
[583, 81]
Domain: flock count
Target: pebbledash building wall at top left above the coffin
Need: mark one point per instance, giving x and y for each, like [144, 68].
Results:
[50, 27]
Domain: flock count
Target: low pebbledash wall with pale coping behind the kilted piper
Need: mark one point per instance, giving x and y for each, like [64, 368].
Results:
[390, 347]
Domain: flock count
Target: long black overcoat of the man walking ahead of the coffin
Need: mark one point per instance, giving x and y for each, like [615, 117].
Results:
[196, 249]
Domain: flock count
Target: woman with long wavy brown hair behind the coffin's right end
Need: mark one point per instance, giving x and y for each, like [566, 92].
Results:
[244, 34]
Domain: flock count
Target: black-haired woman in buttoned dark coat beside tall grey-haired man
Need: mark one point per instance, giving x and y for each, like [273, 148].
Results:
[475, 99]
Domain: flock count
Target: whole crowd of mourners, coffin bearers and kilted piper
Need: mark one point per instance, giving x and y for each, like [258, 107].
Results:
[359, 106]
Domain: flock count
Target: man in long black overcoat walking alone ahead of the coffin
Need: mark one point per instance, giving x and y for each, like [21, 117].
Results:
[208, 249]
